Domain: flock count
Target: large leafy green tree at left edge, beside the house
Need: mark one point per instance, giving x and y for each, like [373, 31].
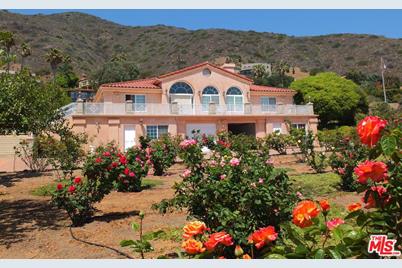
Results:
[28, 105]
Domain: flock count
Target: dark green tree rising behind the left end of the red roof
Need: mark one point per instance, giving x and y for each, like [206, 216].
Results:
[115, 71]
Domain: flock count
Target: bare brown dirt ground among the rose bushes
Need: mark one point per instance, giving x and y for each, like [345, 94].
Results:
[31, 228]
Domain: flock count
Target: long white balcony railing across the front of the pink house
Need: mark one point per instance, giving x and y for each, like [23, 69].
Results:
[88, 108]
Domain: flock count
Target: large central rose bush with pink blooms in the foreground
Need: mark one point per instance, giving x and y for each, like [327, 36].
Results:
[231, 192]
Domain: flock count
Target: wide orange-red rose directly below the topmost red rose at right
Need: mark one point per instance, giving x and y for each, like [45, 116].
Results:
[376, 171]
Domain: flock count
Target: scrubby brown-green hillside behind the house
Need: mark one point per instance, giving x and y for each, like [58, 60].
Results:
[90, 41]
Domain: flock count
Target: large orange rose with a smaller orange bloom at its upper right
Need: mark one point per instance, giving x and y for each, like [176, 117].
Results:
[304, 212]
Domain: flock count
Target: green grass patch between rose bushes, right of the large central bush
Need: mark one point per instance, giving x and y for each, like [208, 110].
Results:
[314, 185]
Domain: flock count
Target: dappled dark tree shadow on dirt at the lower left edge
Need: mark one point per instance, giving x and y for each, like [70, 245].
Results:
[19, 217]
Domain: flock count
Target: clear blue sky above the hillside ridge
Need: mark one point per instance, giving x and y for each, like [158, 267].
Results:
[291, 22]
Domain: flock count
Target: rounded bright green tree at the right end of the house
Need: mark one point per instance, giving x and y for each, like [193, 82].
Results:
[335, 99]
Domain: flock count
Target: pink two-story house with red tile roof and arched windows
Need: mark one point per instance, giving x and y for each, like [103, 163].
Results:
[202, 96]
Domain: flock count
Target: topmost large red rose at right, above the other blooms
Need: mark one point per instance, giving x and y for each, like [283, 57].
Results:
[369, 129]
